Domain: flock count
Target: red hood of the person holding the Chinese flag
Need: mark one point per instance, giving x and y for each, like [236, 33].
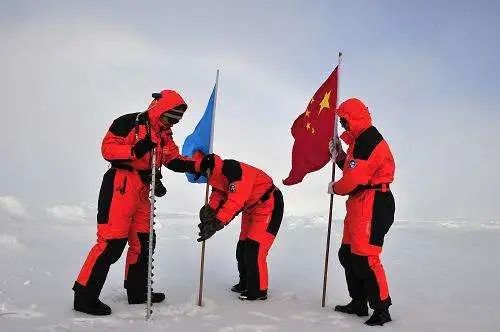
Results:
[357, 116]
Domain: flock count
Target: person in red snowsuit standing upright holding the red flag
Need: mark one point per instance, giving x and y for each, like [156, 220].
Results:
[368, 169]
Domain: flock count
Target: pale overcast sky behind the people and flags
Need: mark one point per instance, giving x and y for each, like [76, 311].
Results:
[428, 71]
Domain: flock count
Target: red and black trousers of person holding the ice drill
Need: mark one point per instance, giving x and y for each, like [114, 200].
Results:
[123, 216]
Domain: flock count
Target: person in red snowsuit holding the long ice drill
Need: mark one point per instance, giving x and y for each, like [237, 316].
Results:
[124, 206]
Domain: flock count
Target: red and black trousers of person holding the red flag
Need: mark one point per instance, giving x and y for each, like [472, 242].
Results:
[370, 214]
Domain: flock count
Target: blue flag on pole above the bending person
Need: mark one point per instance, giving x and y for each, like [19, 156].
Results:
[201, 138]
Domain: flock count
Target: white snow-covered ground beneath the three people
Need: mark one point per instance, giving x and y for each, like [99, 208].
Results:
[444, 276]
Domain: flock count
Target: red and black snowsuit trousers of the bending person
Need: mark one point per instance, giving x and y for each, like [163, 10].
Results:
[259, 227]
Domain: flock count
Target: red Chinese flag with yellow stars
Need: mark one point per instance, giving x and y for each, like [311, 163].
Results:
[312, 131]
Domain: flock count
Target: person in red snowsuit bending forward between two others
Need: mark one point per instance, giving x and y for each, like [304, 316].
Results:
[238, 187]
